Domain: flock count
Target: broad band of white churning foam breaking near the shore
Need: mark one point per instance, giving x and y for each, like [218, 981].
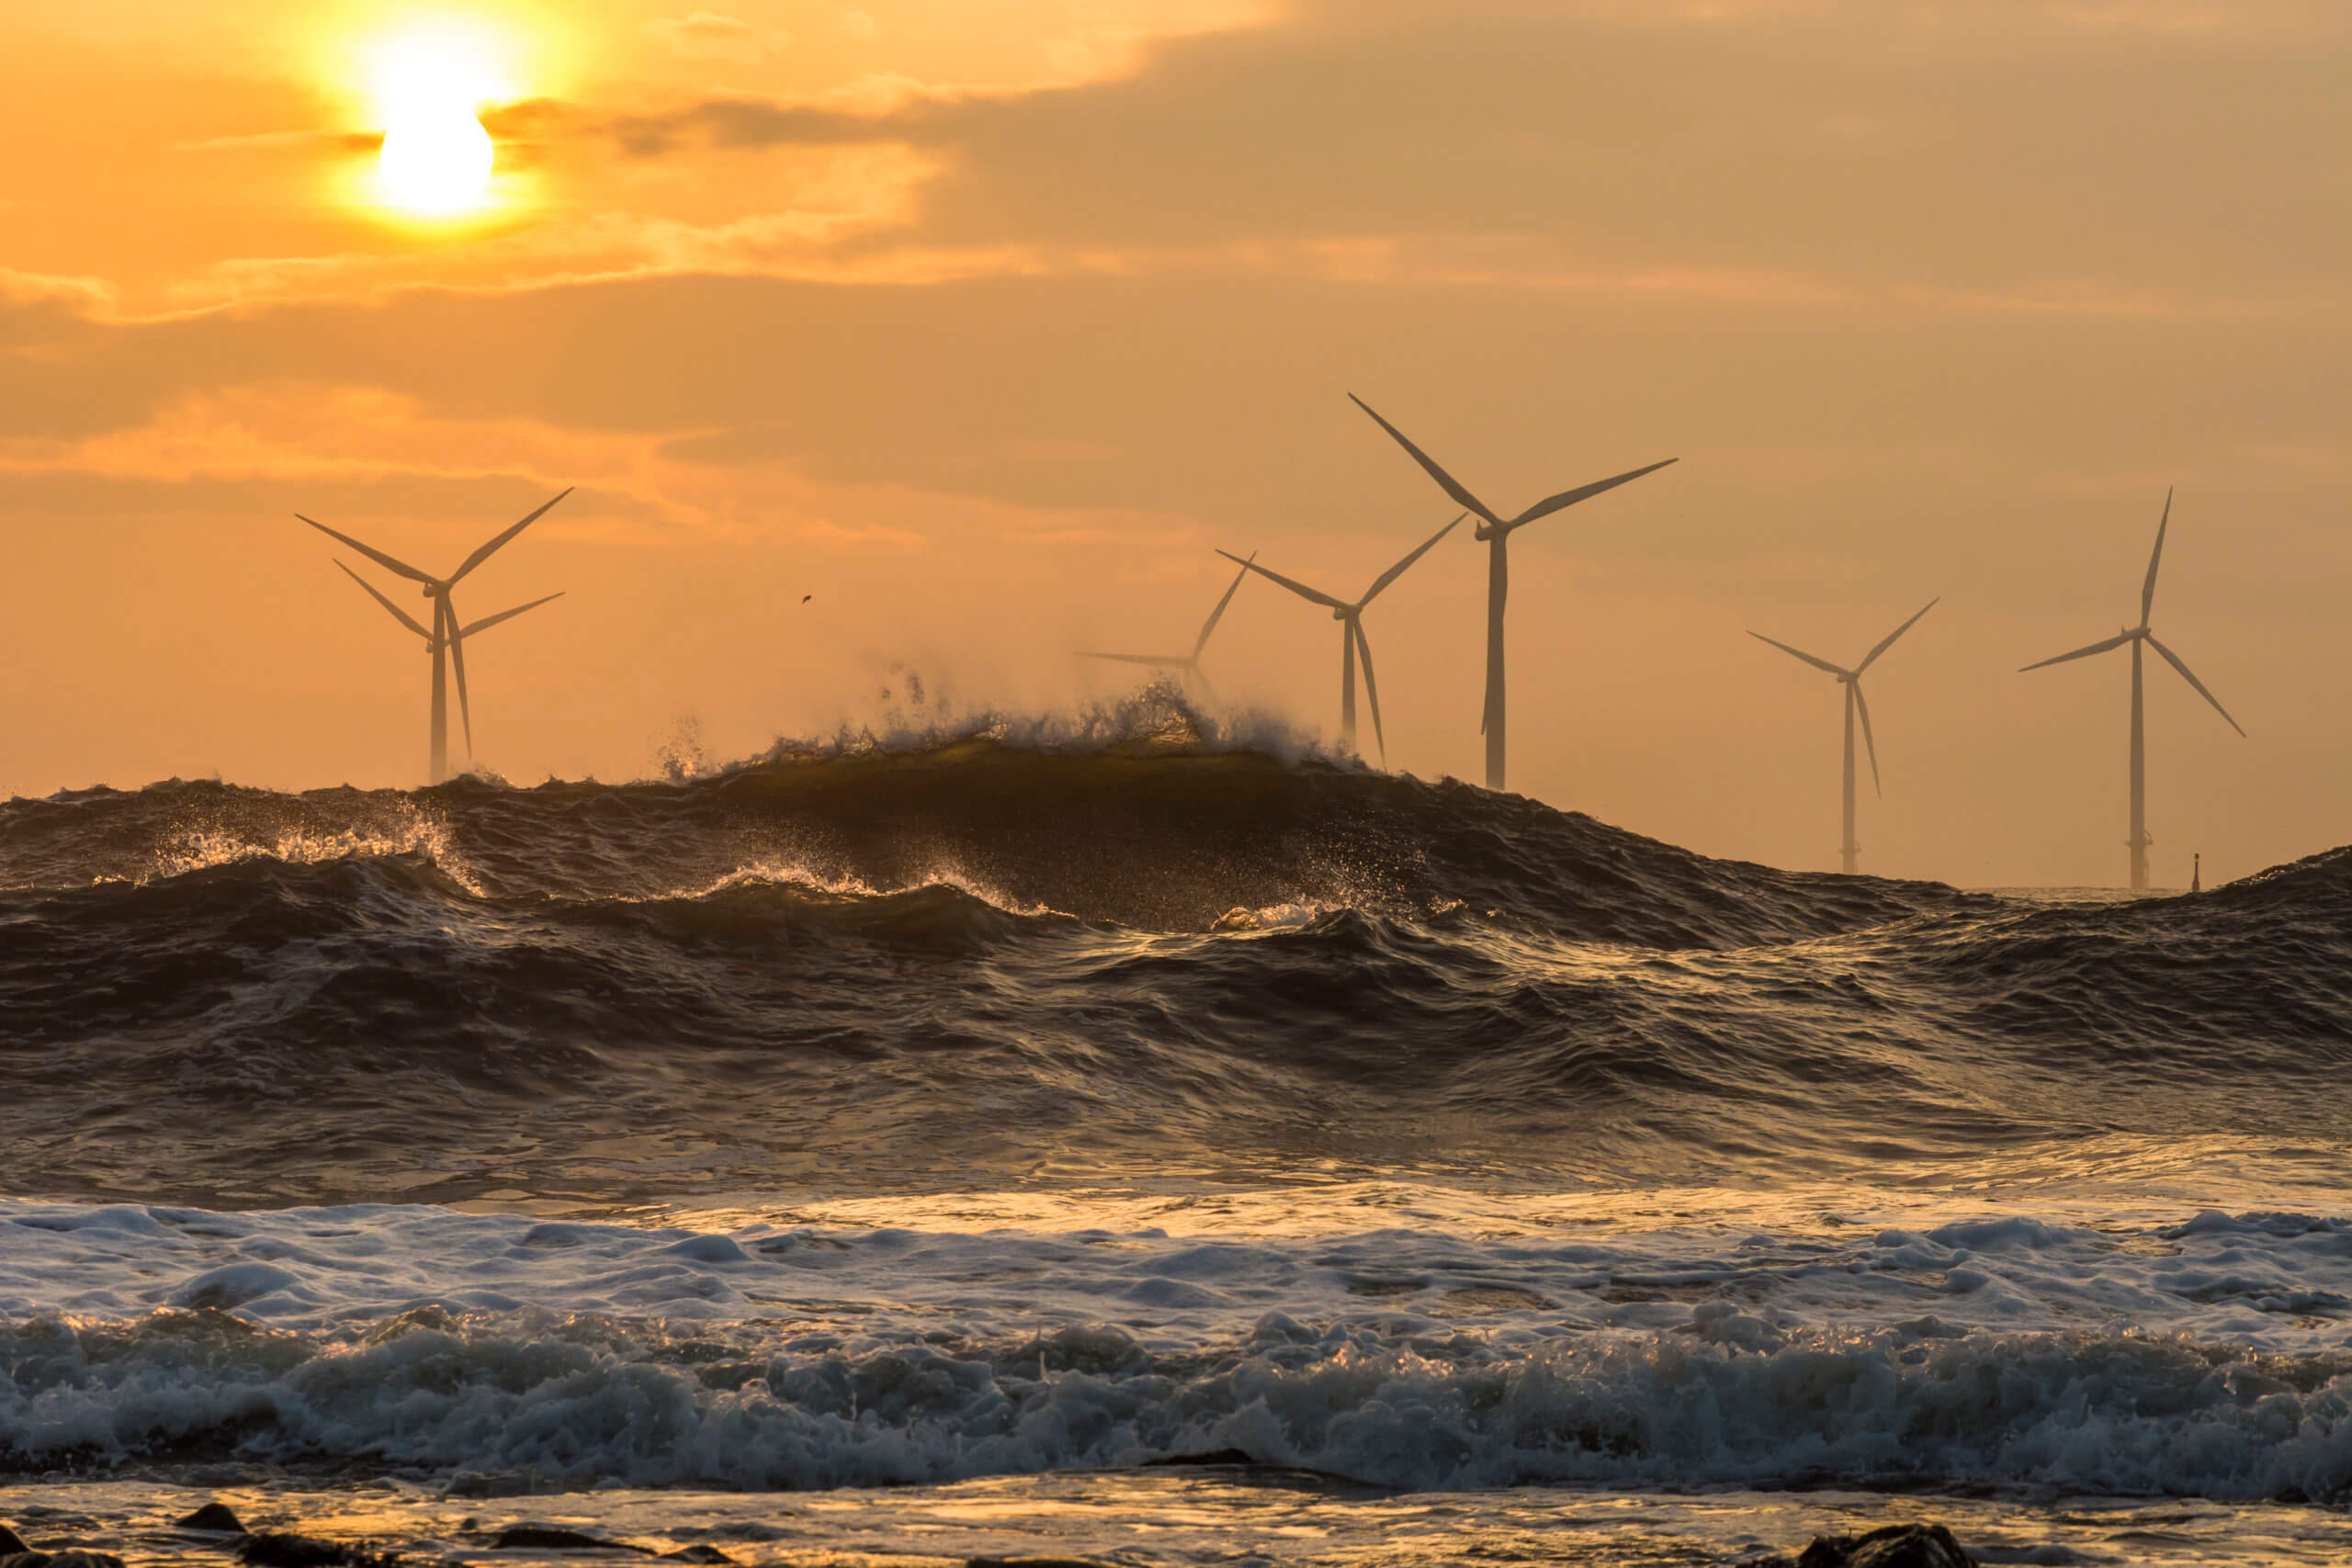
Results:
[2210, 1358]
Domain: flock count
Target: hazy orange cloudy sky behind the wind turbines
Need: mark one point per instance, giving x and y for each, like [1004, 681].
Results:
[984, 323]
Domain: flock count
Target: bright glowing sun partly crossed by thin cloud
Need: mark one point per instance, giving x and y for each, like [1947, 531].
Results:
[429, 91]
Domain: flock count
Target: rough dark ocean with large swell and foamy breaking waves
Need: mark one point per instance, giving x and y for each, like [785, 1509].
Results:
[1149, 1144]
